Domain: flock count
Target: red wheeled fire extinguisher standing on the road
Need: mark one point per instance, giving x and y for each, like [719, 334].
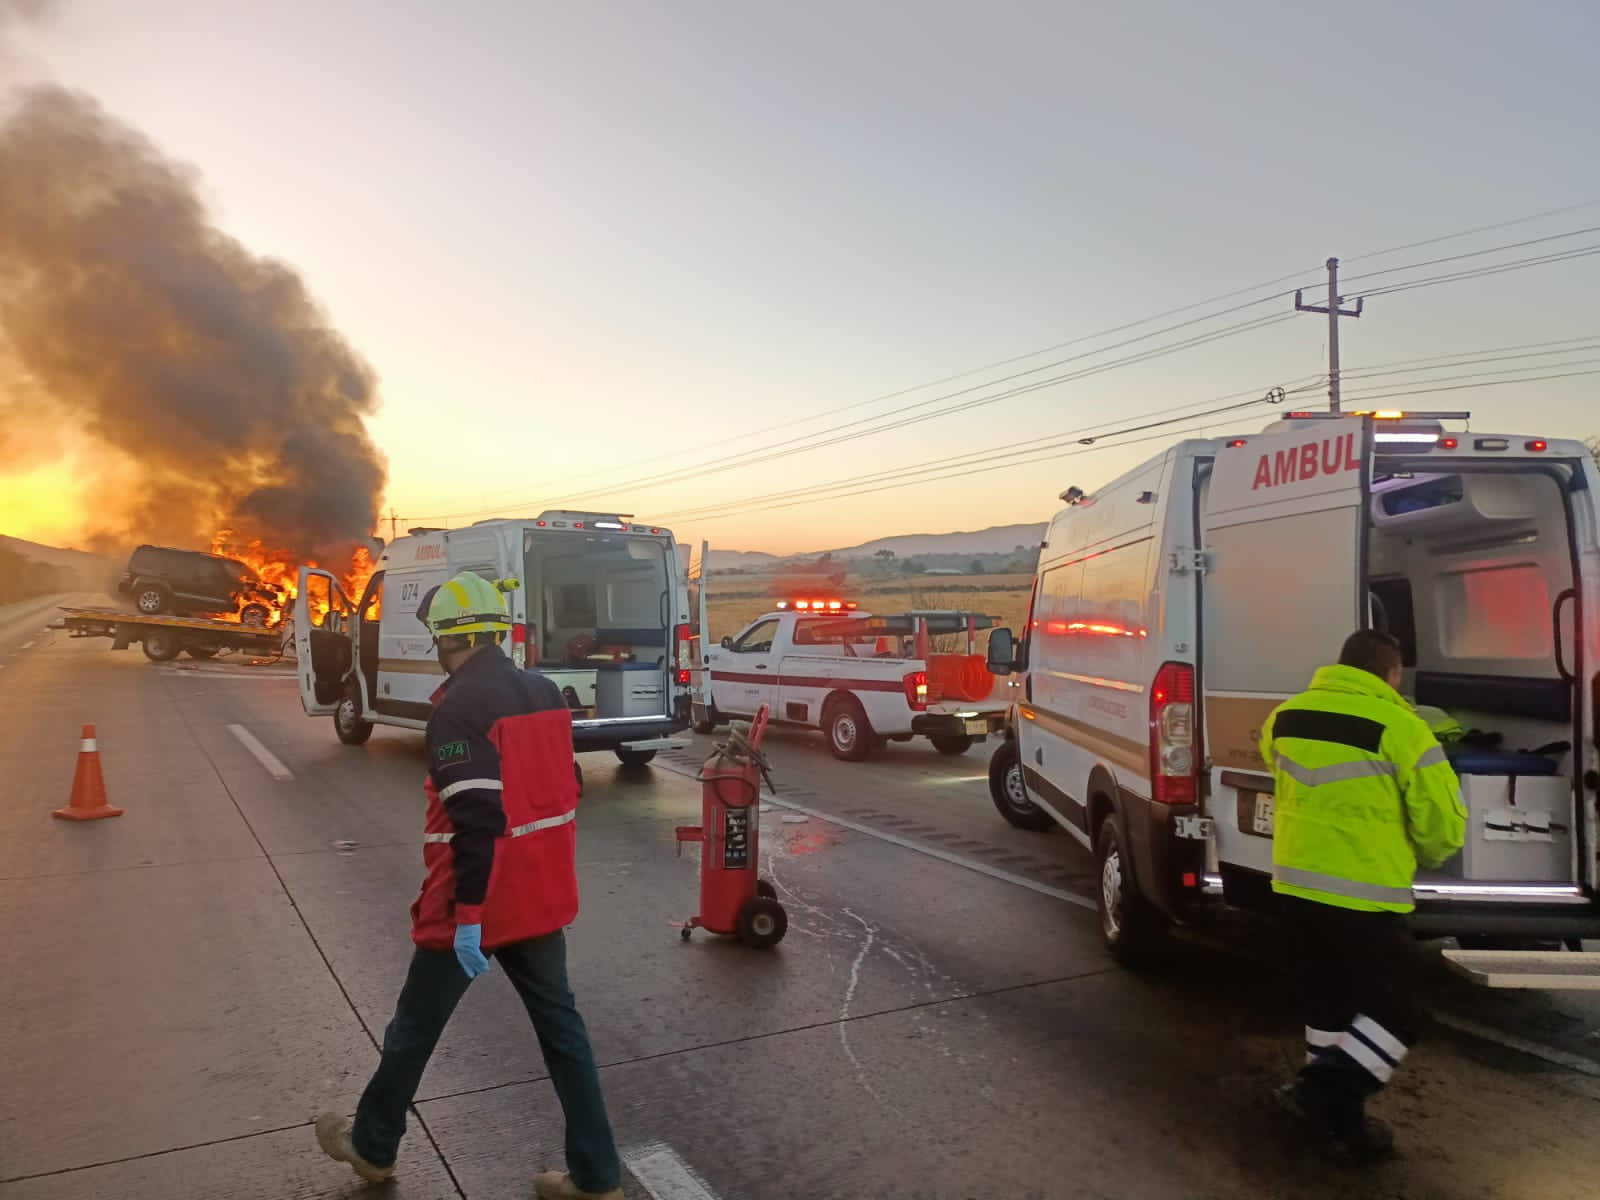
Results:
[734, 898]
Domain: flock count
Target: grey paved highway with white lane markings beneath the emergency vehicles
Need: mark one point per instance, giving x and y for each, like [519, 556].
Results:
[191, 983]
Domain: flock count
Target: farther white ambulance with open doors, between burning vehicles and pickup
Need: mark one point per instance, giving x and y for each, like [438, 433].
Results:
[601, 607]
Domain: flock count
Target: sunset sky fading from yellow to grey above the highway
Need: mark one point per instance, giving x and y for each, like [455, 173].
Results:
[593, 247]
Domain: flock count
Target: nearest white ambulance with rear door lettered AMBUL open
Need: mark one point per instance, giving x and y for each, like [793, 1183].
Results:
[1177, 607]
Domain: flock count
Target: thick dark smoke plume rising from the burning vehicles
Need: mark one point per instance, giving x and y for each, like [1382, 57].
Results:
[198, 385]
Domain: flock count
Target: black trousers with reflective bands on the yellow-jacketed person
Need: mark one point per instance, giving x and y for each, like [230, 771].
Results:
[1362, 978]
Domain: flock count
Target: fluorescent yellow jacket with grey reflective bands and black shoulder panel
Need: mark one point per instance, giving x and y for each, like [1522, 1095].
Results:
[1364, 794]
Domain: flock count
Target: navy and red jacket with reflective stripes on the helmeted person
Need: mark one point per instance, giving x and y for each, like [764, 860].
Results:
[500, 842]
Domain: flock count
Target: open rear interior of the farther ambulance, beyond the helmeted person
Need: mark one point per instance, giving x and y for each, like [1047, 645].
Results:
[599, 614]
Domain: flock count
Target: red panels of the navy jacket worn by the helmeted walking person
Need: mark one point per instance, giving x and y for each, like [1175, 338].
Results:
[534, 886]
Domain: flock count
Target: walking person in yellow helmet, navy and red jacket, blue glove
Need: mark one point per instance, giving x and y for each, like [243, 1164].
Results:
[502, 882]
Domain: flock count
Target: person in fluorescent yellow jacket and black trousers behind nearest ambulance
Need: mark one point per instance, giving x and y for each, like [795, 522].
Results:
[1364, 798]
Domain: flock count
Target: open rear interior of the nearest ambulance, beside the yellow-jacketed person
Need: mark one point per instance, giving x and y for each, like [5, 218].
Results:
[1468, 570]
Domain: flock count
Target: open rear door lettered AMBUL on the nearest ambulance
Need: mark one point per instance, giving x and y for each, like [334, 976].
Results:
[1282, 519]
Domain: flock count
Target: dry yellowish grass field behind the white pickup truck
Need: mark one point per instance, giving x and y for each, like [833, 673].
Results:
[737, 601]
